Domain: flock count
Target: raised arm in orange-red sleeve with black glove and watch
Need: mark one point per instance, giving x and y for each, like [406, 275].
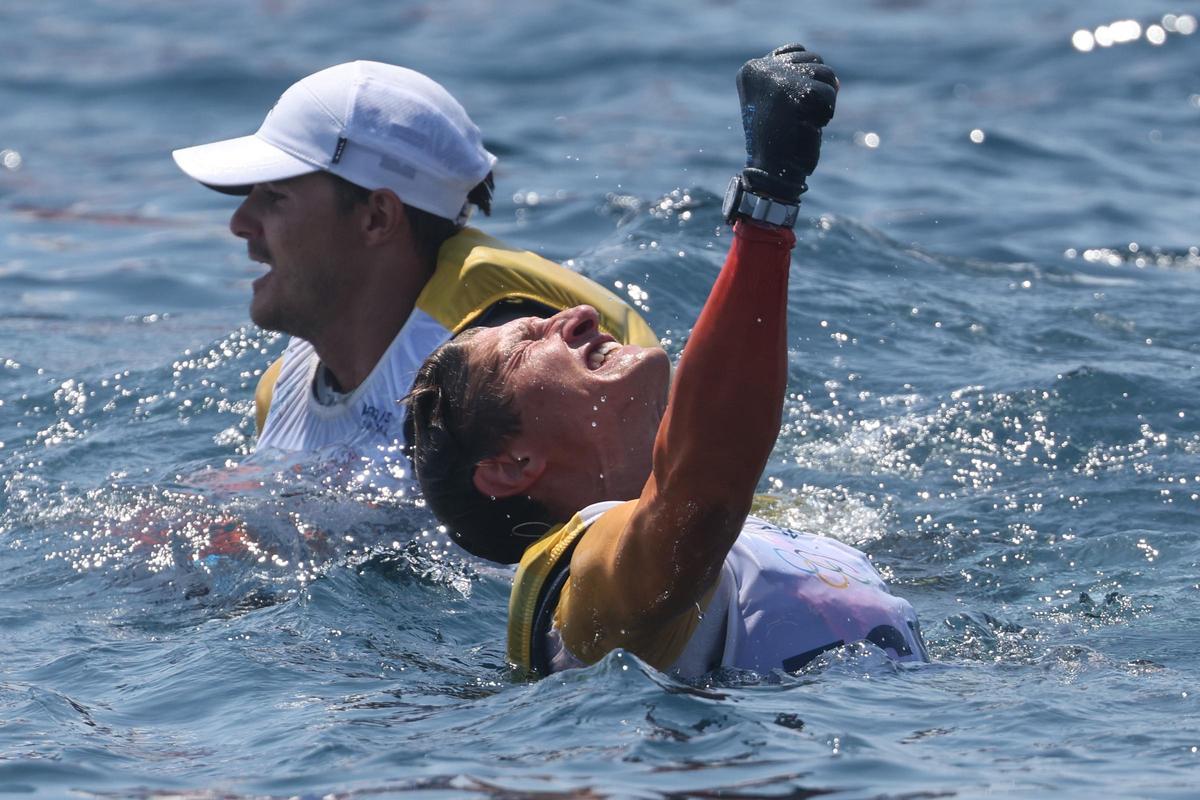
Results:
[653, 561]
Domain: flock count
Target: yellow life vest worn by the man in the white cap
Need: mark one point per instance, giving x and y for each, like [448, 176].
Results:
[475, 273]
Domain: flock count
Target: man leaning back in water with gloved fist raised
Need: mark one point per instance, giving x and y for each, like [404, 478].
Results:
[535, 441]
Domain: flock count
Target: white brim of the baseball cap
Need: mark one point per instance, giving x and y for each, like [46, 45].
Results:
[236, 165]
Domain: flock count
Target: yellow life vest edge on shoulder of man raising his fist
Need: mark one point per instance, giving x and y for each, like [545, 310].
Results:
[542, 575]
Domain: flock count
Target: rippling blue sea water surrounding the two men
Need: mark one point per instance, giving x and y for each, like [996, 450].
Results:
[993, 351]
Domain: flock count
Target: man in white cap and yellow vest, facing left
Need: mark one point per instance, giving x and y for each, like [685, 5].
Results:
[358, 187]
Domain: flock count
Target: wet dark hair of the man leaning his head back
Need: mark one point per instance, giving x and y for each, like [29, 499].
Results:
[459, 414]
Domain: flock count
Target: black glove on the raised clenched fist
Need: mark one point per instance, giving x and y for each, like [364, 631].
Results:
[788, 97]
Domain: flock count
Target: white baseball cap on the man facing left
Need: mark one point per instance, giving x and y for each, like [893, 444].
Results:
[376, 125]
